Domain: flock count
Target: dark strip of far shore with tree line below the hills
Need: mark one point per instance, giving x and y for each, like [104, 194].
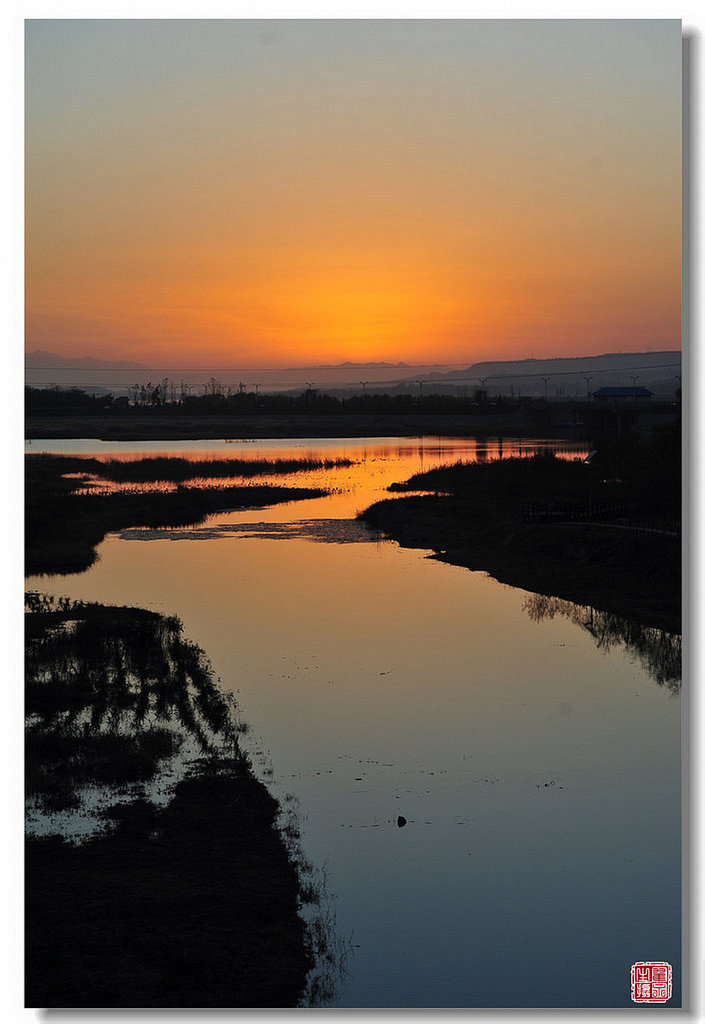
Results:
[160, 411]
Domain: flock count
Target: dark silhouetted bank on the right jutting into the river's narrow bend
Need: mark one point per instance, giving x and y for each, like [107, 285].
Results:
[477, 518]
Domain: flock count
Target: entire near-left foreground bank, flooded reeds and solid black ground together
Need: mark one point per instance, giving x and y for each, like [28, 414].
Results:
[191, 902]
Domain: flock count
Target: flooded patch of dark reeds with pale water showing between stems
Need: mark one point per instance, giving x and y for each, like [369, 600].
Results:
[110, 694]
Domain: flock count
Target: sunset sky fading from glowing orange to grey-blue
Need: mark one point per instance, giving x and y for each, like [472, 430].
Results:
[284, 193]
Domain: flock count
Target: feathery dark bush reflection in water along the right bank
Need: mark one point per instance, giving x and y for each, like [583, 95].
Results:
[658, 652]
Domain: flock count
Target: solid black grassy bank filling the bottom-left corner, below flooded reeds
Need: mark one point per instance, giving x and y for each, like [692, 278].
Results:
[177, 907]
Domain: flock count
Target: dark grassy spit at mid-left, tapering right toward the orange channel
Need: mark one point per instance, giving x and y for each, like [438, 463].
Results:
[63, 529]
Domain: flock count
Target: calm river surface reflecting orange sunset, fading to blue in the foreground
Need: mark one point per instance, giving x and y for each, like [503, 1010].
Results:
[538, 774]
